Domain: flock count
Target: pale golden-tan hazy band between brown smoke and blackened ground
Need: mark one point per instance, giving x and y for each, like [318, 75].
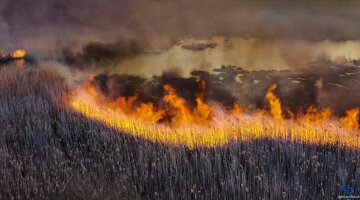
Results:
[251, 54]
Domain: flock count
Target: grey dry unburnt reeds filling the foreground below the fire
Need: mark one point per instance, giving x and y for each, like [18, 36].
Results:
[49, 151]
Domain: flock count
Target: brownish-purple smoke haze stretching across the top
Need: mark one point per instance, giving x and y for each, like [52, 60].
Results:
[45, 25]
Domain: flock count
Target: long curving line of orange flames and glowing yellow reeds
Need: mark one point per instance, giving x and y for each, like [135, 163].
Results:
[211, 126]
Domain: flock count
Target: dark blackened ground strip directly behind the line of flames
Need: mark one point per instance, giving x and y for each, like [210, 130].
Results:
[320, 86]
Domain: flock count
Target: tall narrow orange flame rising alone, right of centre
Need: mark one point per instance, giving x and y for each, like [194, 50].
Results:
[274, 103]
